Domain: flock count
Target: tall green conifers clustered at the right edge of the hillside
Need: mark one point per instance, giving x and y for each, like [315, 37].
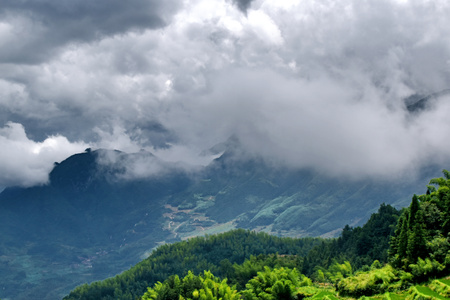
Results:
[421, 243]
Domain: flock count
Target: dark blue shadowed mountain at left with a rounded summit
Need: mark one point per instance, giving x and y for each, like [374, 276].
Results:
[84, 225]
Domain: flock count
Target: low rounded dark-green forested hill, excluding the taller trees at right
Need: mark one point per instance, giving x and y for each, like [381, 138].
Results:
[216, 253]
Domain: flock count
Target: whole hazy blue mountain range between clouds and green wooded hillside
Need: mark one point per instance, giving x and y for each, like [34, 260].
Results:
[94, 220]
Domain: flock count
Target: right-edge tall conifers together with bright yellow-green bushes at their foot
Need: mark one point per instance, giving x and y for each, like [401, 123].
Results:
[420, 250]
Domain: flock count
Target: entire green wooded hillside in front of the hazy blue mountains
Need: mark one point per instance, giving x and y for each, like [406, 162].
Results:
[418, 252]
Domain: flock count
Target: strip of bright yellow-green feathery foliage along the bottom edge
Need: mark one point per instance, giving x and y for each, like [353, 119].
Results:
[289, 284]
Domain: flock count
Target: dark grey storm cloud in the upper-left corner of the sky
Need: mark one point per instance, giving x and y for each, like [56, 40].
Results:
[35, 29]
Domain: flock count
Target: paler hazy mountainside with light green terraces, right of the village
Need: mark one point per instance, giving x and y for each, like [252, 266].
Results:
[289, 202]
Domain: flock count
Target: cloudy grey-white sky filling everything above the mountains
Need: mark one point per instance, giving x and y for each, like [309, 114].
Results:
[302, 83]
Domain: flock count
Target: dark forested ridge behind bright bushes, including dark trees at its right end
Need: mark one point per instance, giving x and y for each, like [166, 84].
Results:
[222, 255]
